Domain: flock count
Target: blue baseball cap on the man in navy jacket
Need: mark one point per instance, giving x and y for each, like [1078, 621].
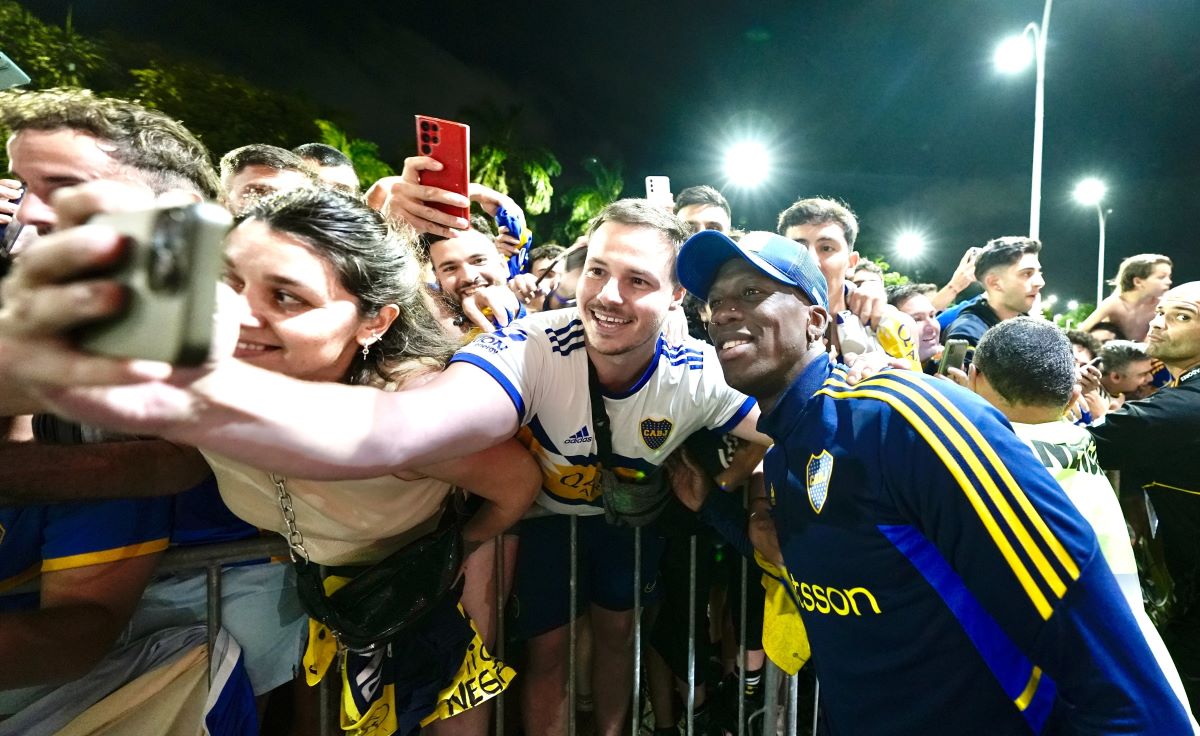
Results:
[776, 256]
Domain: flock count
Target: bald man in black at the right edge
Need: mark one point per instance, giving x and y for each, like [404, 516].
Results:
[1156, 445]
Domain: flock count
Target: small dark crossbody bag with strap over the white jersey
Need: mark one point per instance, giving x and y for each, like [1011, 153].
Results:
[631, 504]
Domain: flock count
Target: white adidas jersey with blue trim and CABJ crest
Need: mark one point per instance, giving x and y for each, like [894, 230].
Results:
[542, 364]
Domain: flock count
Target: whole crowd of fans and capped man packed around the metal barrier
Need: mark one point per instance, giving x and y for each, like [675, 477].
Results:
[946, 507]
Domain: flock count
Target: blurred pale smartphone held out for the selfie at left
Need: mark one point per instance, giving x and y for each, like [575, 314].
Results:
[172, 272]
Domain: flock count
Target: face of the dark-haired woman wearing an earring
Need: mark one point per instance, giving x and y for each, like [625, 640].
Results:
[297, 319]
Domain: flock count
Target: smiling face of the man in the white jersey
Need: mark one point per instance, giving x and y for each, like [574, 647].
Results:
[626, 291]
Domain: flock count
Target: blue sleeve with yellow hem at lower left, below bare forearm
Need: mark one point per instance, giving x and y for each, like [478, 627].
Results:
[80, 535]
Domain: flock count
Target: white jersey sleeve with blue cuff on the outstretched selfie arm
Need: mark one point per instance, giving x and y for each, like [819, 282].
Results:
[513, 357]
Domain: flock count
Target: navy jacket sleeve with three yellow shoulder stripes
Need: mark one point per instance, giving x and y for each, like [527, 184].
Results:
[1013, 561]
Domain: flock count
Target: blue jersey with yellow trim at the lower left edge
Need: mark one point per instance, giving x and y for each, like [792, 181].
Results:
[37, 540]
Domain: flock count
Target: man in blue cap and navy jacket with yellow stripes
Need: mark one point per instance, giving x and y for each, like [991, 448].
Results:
[944, 579]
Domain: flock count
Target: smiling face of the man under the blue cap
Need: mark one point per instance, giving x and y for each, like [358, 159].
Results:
[764, 331]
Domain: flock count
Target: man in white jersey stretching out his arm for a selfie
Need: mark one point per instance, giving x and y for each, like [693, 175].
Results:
[655, 394]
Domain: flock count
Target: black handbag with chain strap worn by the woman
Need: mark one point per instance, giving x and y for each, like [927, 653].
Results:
[382, 601]
